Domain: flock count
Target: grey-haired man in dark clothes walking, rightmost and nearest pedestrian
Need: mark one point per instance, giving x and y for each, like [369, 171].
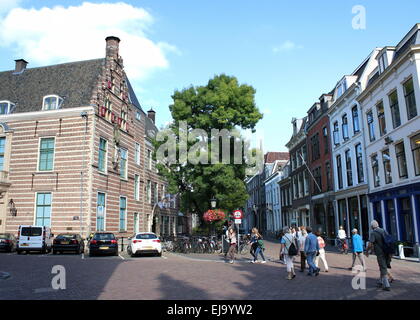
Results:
[376, 242]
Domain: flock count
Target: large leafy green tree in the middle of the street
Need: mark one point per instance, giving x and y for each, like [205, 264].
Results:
[221, 104]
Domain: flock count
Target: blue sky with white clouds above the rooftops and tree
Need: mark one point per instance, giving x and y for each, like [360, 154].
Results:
[291, 52]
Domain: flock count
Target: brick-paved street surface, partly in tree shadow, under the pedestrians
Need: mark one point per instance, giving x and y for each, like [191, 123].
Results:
[195, 277]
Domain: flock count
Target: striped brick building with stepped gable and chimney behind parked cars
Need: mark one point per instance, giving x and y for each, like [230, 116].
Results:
[76, 151]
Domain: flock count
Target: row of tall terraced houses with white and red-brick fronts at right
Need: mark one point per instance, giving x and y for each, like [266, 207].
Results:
[355, 155]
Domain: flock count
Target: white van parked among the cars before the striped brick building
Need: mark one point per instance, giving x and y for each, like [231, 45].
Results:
[34, 238]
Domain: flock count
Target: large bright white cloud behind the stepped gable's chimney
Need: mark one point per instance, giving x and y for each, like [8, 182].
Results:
[65, 34]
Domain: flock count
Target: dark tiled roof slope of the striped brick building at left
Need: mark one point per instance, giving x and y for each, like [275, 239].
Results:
[74, 82]
